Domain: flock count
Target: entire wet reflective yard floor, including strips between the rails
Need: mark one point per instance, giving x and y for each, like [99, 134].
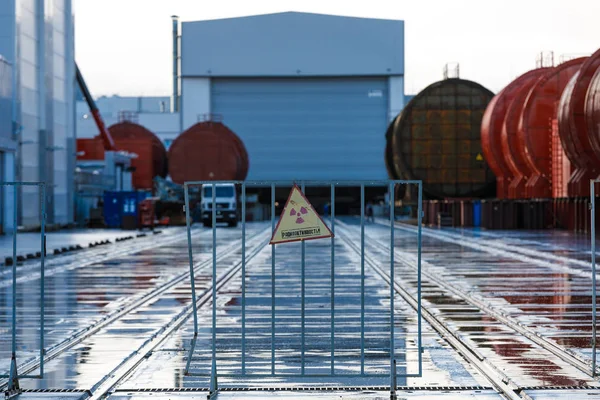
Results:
[555, 303]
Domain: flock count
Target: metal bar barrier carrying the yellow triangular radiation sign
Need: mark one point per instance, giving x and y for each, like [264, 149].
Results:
[392, 375]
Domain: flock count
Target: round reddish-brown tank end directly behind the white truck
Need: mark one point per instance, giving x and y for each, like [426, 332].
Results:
[207, 151]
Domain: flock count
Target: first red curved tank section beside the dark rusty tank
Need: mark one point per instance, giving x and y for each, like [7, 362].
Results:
[491, 132]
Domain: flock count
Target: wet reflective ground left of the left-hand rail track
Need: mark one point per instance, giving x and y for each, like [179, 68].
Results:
[79, 297]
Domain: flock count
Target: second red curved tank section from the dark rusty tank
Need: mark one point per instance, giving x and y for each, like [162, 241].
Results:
[512, 149]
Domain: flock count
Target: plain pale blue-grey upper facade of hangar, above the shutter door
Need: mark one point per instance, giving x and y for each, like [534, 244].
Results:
[292, 44]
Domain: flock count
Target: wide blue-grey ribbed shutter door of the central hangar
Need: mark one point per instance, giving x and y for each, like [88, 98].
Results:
[307, 128]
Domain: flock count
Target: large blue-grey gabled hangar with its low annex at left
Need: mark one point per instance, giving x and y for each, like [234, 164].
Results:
[310, 95]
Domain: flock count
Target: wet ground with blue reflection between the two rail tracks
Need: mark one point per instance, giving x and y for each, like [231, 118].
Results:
[440, 363]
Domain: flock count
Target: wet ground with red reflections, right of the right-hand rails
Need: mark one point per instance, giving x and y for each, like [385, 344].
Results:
[556, 305]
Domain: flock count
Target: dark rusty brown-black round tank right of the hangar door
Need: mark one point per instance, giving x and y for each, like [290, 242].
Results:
[437, 139]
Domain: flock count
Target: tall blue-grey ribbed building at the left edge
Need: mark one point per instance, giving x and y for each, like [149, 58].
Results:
[37, 44]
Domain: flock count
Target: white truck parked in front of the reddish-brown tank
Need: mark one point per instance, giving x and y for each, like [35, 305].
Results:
[226, 204]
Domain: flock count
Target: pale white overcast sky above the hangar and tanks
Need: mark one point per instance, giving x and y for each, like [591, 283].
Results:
[124, 46]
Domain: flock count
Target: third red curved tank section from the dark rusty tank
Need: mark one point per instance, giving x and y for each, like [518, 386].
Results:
[535, 126]
